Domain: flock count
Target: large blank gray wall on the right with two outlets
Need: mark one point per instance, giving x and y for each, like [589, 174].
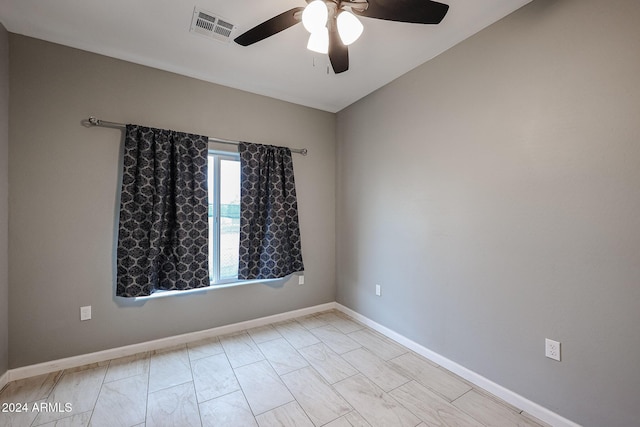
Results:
[494, 195]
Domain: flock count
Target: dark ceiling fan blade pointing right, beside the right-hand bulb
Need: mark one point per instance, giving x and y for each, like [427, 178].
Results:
[413, 11]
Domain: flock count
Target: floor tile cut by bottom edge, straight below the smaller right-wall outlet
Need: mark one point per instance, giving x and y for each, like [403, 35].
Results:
[376, 406]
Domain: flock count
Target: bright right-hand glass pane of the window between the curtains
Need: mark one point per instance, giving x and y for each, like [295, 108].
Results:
[229, 218]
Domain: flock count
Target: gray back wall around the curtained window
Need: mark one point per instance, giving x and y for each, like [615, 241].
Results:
[64, 182]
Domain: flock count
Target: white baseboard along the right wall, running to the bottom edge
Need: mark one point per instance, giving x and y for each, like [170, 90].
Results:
[503, 393]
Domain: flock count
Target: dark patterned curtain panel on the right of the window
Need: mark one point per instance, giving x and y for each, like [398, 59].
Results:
[270, 244]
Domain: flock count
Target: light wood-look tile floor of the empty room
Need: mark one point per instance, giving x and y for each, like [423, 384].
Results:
[319, 370]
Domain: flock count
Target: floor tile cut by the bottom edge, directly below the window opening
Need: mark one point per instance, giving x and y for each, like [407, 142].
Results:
[229, 410]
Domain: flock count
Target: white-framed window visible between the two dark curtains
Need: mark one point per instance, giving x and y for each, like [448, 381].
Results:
[224, 216]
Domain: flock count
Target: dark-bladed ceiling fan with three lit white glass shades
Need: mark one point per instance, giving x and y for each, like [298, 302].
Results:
[333, 24]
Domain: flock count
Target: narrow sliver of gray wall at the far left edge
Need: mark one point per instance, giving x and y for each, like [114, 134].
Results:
[4, 199]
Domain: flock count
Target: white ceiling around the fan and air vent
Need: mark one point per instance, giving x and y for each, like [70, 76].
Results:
[156, 33]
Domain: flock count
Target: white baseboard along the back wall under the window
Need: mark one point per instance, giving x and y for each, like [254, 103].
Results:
[114, 353]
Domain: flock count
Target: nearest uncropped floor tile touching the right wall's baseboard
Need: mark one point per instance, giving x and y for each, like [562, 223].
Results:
[437, 379]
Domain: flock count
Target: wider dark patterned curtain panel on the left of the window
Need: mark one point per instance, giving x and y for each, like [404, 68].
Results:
[163, 231]
